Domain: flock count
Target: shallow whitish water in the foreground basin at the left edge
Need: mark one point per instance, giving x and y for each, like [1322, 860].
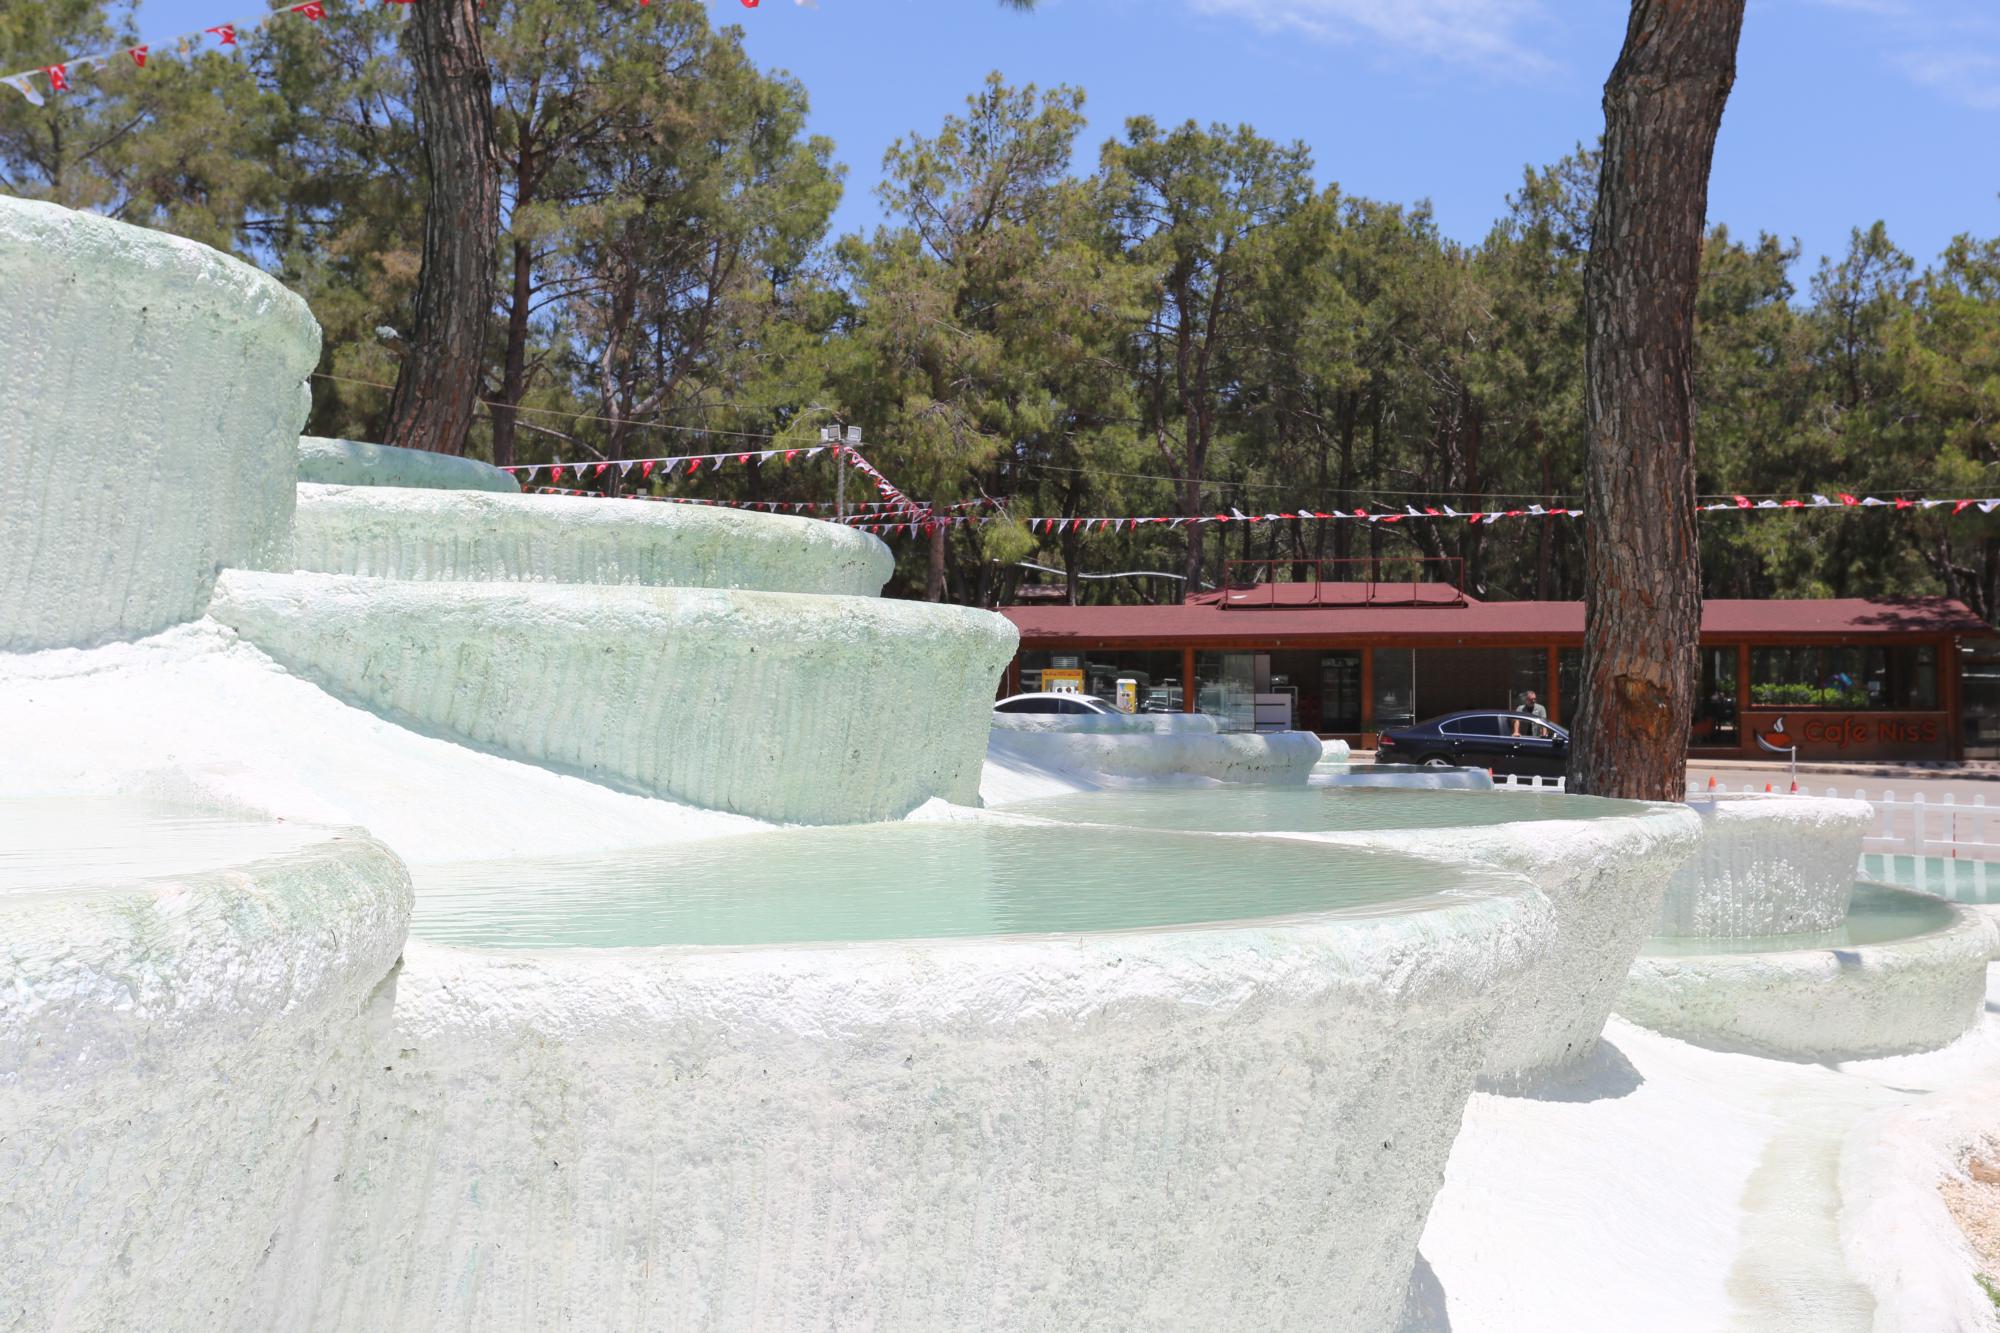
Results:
[75, 842]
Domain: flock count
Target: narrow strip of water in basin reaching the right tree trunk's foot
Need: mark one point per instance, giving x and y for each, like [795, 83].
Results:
[1317, 810]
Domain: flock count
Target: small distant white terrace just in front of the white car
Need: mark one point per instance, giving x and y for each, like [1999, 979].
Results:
[1153, 748]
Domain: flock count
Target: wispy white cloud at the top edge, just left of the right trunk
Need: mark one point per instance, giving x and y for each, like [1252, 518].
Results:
[1479, 33]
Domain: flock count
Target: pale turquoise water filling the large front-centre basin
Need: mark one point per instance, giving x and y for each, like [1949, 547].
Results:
[917, 882]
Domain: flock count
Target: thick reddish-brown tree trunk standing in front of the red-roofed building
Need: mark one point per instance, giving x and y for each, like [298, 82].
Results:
[1643, 587]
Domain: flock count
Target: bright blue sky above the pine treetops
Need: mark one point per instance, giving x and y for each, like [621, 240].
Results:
[1845, 111]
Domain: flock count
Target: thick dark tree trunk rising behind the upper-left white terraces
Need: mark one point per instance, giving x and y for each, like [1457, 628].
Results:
[439, 381]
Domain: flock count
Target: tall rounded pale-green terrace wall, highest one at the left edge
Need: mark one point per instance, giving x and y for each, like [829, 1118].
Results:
[151, 399]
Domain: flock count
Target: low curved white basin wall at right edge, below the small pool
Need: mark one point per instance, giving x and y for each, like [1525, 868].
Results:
[1823, 1004]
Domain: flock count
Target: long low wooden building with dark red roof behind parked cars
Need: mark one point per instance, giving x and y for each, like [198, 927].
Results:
[1843, 678]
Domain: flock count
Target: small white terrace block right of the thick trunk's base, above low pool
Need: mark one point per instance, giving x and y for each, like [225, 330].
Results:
[1769, 866]
